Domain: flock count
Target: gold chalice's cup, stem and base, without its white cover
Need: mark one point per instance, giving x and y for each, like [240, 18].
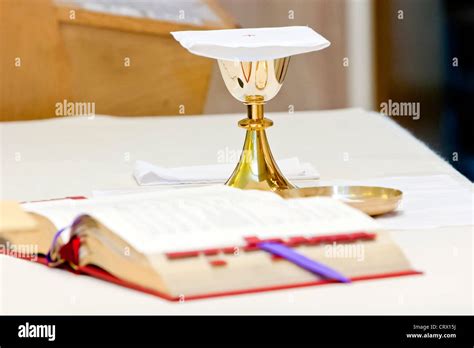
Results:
[255, 83]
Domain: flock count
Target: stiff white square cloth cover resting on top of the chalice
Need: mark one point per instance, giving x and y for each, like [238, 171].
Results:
[251, 44]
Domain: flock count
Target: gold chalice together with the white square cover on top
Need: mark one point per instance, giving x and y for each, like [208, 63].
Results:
[253, 63]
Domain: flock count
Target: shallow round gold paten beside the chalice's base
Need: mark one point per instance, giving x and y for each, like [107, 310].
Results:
[371, 200]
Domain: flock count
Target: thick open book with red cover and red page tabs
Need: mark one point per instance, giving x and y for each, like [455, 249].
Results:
[199, 242]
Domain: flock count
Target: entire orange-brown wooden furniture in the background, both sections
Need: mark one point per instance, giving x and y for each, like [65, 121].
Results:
[124, 65]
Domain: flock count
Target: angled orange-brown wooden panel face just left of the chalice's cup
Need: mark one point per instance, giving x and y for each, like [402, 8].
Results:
[161, 76]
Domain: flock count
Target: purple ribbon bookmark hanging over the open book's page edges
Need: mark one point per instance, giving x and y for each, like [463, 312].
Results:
[302, 261]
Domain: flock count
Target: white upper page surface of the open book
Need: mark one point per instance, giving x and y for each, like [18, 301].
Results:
[207, 217]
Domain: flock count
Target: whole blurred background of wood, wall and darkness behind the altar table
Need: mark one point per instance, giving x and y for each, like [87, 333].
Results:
[119, 55]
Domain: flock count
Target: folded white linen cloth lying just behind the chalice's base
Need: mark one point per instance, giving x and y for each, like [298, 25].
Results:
[146, 173]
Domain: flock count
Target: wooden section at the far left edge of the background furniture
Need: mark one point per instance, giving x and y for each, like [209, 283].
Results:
[29, 31]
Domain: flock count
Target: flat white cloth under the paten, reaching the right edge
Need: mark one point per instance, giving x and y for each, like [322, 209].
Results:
[429, 201]
